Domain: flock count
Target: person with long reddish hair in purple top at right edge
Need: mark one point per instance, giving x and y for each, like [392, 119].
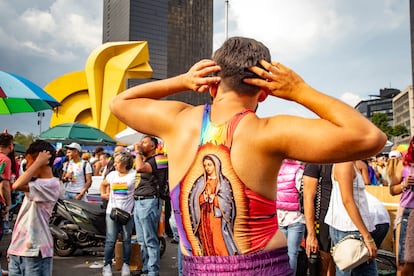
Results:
[402, 181]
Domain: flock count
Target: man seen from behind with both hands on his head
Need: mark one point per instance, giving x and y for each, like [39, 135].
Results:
[249, 151]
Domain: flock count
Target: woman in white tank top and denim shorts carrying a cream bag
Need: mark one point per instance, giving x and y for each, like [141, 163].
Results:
[348, 213]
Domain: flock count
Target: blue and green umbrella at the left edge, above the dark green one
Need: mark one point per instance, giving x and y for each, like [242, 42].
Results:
[19, 95]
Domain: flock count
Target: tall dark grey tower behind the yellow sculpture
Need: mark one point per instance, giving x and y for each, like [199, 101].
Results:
[179, 33]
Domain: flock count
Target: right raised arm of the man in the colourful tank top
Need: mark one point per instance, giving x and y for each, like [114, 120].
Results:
[340, 133]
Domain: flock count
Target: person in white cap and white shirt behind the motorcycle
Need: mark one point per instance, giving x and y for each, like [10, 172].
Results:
[77, 174]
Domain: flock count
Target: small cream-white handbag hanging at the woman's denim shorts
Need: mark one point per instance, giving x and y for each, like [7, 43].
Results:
[349, 252]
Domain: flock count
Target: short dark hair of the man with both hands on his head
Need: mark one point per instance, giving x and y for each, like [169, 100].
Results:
[234, 57]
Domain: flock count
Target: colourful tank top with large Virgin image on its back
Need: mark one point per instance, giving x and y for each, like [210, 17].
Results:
[216, 214]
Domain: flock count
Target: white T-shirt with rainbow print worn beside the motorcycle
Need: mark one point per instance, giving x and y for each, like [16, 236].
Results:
[122, 191]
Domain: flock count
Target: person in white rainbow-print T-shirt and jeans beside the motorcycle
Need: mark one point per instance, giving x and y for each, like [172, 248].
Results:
[121, 184]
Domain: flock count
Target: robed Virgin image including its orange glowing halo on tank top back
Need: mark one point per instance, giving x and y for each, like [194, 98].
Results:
[214, 208]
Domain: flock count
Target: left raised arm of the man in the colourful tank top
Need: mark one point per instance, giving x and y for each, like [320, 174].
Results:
[141, 101]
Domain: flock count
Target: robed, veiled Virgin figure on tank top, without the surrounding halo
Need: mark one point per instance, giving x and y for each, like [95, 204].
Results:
[212, 209]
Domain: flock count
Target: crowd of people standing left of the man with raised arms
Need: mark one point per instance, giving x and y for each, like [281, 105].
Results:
[131, 183]
